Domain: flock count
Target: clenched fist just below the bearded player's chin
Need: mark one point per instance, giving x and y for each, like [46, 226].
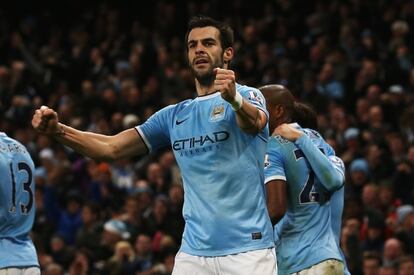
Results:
[225, 82]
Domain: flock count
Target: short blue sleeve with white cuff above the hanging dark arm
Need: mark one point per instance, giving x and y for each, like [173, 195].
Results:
[274, 165]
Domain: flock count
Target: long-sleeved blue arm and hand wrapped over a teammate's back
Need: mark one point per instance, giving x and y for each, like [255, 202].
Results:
[322, 166]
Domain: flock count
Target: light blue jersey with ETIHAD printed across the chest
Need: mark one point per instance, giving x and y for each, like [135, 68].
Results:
[222, 169]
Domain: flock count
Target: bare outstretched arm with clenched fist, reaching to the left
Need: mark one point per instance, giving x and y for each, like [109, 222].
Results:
[101, 147]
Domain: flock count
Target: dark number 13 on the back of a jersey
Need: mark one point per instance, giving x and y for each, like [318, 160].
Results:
[25, 208]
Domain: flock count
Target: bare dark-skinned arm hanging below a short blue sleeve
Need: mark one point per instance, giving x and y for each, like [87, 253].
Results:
[276, 199]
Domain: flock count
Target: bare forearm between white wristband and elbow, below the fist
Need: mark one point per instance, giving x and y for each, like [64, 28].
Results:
[250, 118]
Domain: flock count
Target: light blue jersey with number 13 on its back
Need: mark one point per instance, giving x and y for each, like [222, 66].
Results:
[17, 209]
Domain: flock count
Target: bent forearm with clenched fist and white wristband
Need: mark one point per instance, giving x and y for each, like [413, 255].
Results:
[249, 118]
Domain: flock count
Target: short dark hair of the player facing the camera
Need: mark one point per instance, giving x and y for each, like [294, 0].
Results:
[226, 32]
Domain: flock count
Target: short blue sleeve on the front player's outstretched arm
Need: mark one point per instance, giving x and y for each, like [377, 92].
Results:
[155, 131]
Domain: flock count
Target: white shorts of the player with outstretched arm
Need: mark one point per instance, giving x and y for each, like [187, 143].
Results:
[256, 262]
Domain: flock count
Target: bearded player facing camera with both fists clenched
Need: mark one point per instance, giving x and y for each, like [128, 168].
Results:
[219, 141]
